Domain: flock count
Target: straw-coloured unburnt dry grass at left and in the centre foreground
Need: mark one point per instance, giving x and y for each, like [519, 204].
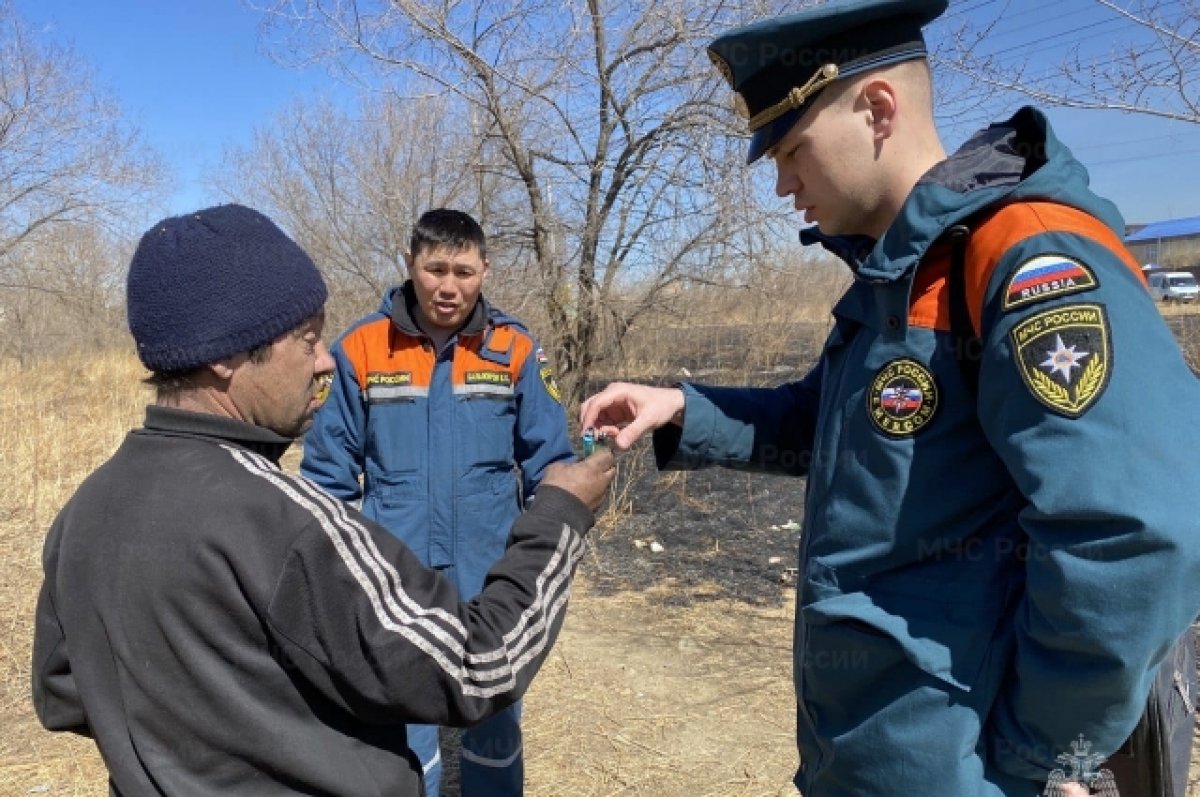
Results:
[635, 700]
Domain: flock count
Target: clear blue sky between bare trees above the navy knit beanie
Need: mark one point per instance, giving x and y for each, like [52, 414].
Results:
[189, 74]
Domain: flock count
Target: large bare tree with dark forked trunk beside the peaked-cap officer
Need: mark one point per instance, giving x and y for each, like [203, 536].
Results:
[603, 118]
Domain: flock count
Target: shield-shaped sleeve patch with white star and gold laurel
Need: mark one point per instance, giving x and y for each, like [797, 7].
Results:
[1065, 357]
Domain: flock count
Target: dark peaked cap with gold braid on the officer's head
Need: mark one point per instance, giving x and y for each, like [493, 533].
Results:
[779, 67]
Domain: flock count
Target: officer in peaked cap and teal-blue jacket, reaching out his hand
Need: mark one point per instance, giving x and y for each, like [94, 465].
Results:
[1000, 542]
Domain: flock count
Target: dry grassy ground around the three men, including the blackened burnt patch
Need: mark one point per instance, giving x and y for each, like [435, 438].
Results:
[673, 675]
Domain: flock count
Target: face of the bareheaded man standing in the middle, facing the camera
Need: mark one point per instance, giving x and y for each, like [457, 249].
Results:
[448, 283]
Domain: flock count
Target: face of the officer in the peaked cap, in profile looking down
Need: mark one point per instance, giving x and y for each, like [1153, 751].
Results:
[826, 165]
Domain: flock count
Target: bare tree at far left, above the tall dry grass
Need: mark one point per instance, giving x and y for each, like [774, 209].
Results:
[65, 155]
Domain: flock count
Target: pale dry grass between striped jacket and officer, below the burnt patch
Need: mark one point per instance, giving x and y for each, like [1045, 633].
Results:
[641, 700]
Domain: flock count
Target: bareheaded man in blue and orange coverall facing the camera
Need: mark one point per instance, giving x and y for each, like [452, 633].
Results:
[447, 410]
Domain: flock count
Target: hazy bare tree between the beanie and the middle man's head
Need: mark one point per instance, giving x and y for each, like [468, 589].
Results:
[351, 185]
